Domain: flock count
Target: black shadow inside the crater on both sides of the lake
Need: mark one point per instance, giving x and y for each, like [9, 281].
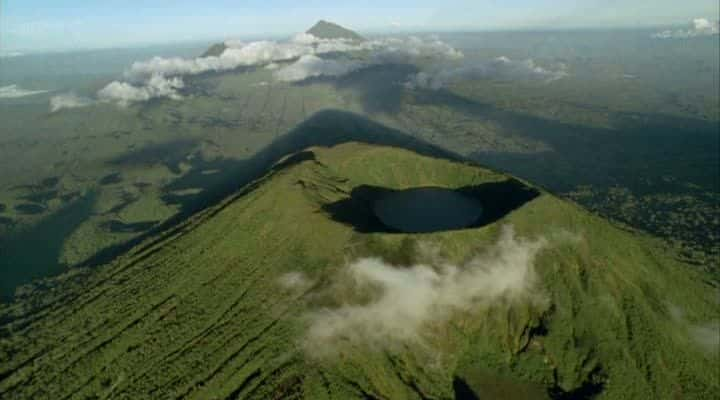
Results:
[497, 199]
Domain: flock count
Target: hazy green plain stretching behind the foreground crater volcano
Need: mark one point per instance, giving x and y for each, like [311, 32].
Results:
[146, 162]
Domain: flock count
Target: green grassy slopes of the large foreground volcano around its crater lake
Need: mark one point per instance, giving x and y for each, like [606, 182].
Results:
[239, 301]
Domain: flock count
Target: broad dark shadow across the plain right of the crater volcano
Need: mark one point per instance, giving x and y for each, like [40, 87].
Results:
[638, 152]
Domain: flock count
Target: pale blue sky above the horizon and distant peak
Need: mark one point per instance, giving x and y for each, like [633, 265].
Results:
[67, 24]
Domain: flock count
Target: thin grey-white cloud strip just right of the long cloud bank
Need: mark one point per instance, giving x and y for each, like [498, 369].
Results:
[501, 68]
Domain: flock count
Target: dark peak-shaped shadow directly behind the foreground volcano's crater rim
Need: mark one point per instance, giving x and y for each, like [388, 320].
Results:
[326, 128]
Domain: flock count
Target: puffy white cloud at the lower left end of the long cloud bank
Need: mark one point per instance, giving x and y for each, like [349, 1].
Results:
[157, 86]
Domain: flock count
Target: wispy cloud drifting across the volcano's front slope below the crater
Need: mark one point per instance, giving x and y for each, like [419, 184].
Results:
[408, 299]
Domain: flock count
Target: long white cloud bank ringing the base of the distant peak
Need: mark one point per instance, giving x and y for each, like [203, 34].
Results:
[162, 77]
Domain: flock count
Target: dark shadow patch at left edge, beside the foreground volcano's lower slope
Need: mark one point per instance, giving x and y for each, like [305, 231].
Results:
[35, 253]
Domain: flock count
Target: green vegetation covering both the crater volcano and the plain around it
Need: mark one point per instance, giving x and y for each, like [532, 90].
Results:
[170, 234]
